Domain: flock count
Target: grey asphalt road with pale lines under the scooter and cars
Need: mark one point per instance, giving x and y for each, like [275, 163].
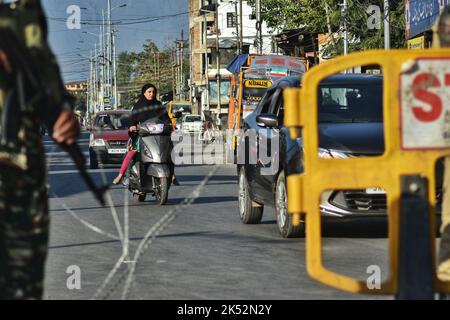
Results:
[195, 247]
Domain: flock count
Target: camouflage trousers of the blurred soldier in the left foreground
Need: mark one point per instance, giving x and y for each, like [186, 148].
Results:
[24, 226]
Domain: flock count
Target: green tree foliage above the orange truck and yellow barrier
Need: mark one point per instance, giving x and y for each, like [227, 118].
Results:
[324, 16]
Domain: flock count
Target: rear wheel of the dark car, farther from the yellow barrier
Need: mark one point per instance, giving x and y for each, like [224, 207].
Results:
[249, 212]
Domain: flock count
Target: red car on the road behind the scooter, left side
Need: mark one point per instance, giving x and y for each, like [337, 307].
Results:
[109, 137]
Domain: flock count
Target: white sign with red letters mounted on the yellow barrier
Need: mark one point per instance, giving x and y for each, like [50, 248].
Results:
[425, 104]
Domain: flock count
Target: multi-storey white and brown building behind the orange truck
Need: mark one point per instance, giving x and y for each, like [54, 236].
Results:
[215, 26]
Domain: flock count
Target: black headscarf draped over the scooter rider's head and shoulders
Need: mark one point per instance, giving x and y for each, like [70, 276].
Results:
[145, 109]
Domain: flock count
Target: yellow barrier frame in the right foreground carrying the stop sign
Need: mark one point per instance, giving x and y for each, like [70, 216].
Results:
[402, 156]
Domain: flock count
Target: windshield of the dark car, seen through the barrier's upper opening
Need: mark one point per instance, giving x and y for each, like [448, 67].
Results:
[350, 103]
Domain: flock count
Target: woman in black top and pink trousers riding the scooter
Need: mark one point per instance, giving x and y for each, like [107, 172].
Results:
[146, 108]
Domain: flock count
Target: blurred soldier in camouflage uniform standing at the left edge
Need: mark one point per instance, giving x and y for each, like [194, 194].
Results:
[24, 219]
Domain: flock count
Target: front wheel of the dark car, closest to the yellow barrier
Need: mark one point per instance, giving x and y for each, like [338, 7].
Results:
[284, 219]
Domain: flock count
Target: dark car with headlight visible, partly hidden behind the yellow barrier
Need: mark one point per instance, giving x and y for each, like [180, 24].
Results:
[350, 125]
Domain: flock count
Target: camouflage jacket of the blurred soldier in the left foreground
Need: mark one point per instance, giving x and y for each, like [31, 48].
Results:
[27, 21]
